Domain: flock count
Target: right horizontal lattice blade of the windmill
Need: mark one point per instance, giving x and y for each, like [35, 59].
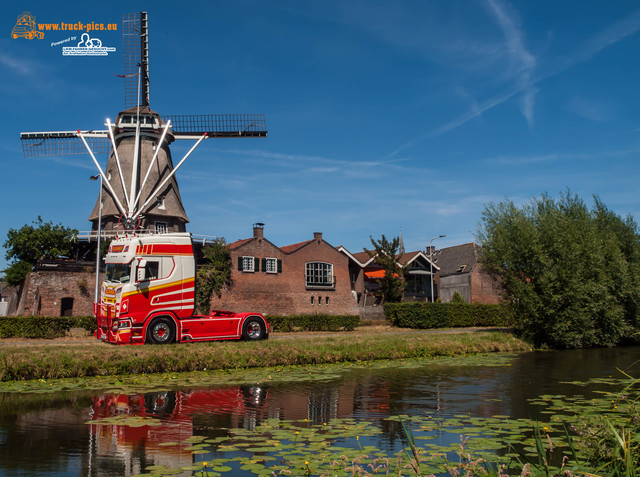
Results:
[218, 125]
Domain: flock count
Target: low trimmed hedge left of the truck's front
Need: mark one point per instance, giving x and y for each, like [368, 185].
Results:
[43, 327]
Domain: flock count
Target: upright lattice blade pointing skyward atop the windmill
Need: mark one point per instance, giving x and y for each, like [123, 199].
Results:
[135, 53]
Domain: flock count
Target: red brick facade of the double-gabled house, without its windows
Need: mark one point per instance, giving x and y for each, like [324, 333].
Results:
[286, 293]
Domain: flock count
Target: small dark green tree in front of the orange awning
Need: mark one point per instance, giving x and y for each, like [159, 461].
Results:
[385, 254]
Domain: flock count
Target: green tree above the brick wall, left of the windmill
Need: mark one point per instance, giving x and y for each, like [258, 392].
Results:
[30, 243]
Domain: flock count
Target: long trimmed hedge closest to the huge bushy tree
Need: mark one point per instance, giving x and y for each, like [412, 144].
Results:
[446, 315]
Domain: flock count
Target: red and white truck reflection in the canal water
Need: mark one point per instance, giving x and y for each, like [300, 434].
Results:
[173, 417]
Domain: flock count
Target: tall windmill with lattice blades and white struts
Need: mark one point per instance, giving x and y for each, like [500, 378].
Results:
[139, 183]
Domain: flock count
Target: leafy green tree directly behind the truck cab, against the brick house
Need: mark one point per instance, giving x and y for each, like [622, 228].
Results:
[214, 274]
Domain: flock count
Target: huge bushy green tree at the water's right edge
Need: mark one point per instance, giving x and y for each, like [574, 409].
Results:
[570, 274]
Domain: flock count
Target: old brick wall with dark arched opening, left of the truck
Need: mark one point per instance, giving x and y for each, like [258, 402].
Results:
[46, 289]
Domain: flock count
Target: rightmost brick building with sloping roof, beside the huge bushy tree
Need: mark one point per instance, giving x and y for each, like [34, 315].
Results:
[461, 271]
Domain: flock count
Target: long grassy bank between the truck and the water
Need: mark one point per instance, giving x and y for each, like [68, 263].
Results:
[35, 361]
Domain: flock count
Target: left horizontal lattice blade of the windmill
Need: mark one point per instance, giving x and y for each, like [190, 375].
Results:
[62, 143]
